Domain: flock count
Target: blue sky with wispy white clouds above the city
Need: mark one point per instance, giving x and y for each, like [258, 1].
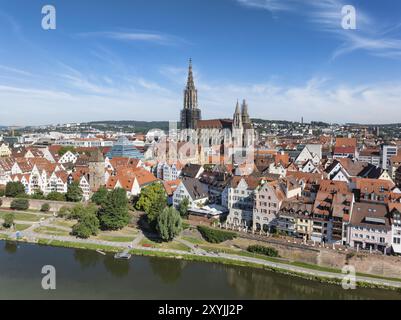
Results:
[128, 60]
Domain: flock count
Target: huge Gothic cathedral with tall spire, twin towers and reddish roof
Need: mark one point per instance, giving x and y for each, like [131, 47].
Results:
[237, 132]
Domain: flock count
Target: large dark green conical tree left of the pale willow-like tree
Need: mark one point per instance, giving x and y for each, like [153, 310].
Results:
[114, 214]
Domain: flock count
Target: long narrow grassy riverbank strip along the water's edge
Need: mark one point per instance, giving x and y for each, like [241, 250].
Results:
[366, 281]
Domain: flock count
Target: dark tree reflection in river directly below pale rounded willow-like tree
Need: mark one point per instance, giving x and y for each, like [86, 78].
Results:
[168, 270]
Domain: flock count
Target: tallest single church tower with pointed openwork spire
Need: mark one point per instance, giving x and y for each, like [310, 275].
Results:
[191, 113]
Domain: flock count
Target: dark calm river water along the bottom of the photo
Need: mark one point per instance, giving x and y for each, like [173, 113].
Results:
[83, 274]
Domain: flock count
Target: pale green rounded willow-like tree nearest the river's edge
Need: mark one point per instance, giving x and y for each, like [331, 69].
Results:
[169, 224]
